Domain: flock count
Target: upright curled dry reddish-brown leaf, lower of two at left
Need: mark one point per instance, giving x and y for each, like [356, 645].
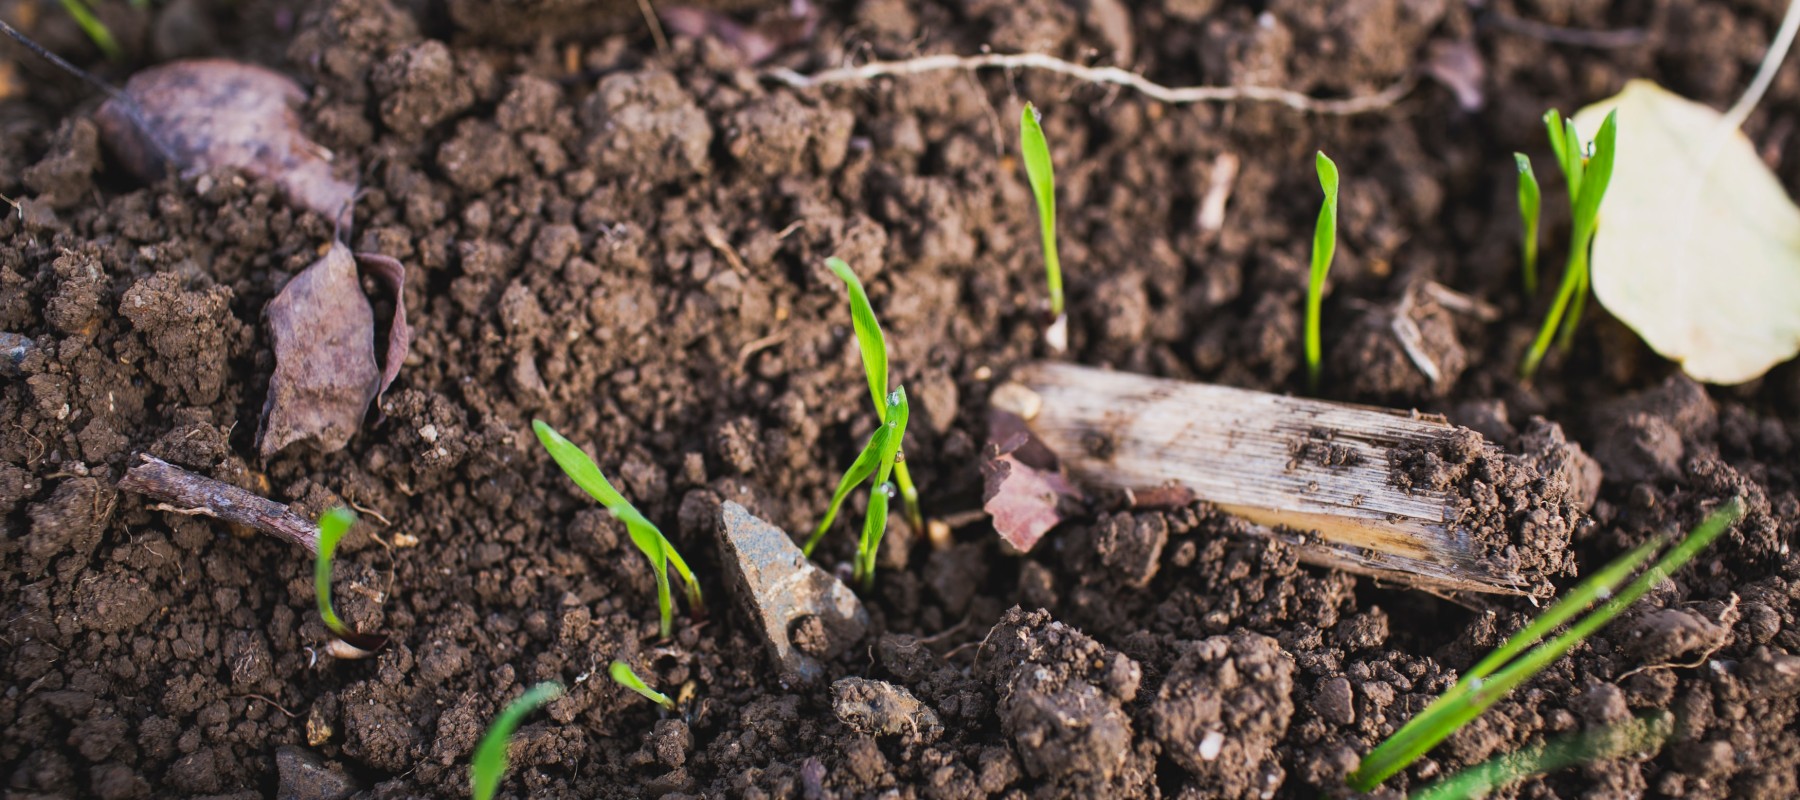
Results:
[325, 379]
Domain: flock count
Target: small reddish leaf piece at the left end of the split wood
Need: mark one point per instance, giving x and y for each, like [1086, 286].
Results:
[1023, 486]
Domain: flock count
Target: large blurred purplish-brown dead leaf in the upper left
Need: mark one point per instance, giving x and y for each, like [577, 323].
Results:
[210, 114]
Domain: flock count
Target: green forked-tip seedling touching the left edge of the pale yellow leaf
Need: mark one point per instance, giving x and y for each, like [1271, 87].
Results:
[1588, 176]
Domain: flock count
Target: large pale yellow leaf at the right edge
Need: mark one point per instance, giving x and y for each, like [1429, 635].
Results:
[1698, 246]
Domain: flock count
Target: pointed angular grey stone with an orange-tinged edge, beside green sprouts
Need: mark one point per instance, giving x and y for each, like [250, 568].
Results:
[778, 586]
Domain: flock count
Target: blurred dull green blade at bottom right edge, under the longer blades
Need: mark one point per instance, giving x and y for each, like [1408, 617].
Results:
[1644, 734]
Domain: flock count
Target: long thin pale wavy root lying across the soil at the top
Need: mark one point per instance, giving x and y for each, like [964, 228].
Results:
[1101, 75]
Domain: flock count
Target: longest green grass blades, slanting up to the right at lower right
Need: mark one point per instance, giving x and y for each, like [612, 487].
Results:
[1511, 666]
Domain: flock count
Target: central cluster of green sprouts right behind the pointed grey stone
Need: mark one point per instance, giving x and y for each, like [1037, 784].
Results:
[881, 457]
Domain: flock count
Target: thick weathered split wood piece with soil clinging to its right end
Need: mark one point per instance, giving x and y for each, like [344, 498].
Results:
[1392, 495]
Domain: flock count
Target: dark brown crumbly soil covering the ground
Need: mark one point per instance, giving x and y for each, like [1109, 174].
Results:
[631, 246]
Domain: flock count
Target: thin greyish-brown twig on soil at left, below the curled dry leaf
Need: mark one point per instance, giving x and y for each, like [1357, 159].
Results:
[186, 493]
